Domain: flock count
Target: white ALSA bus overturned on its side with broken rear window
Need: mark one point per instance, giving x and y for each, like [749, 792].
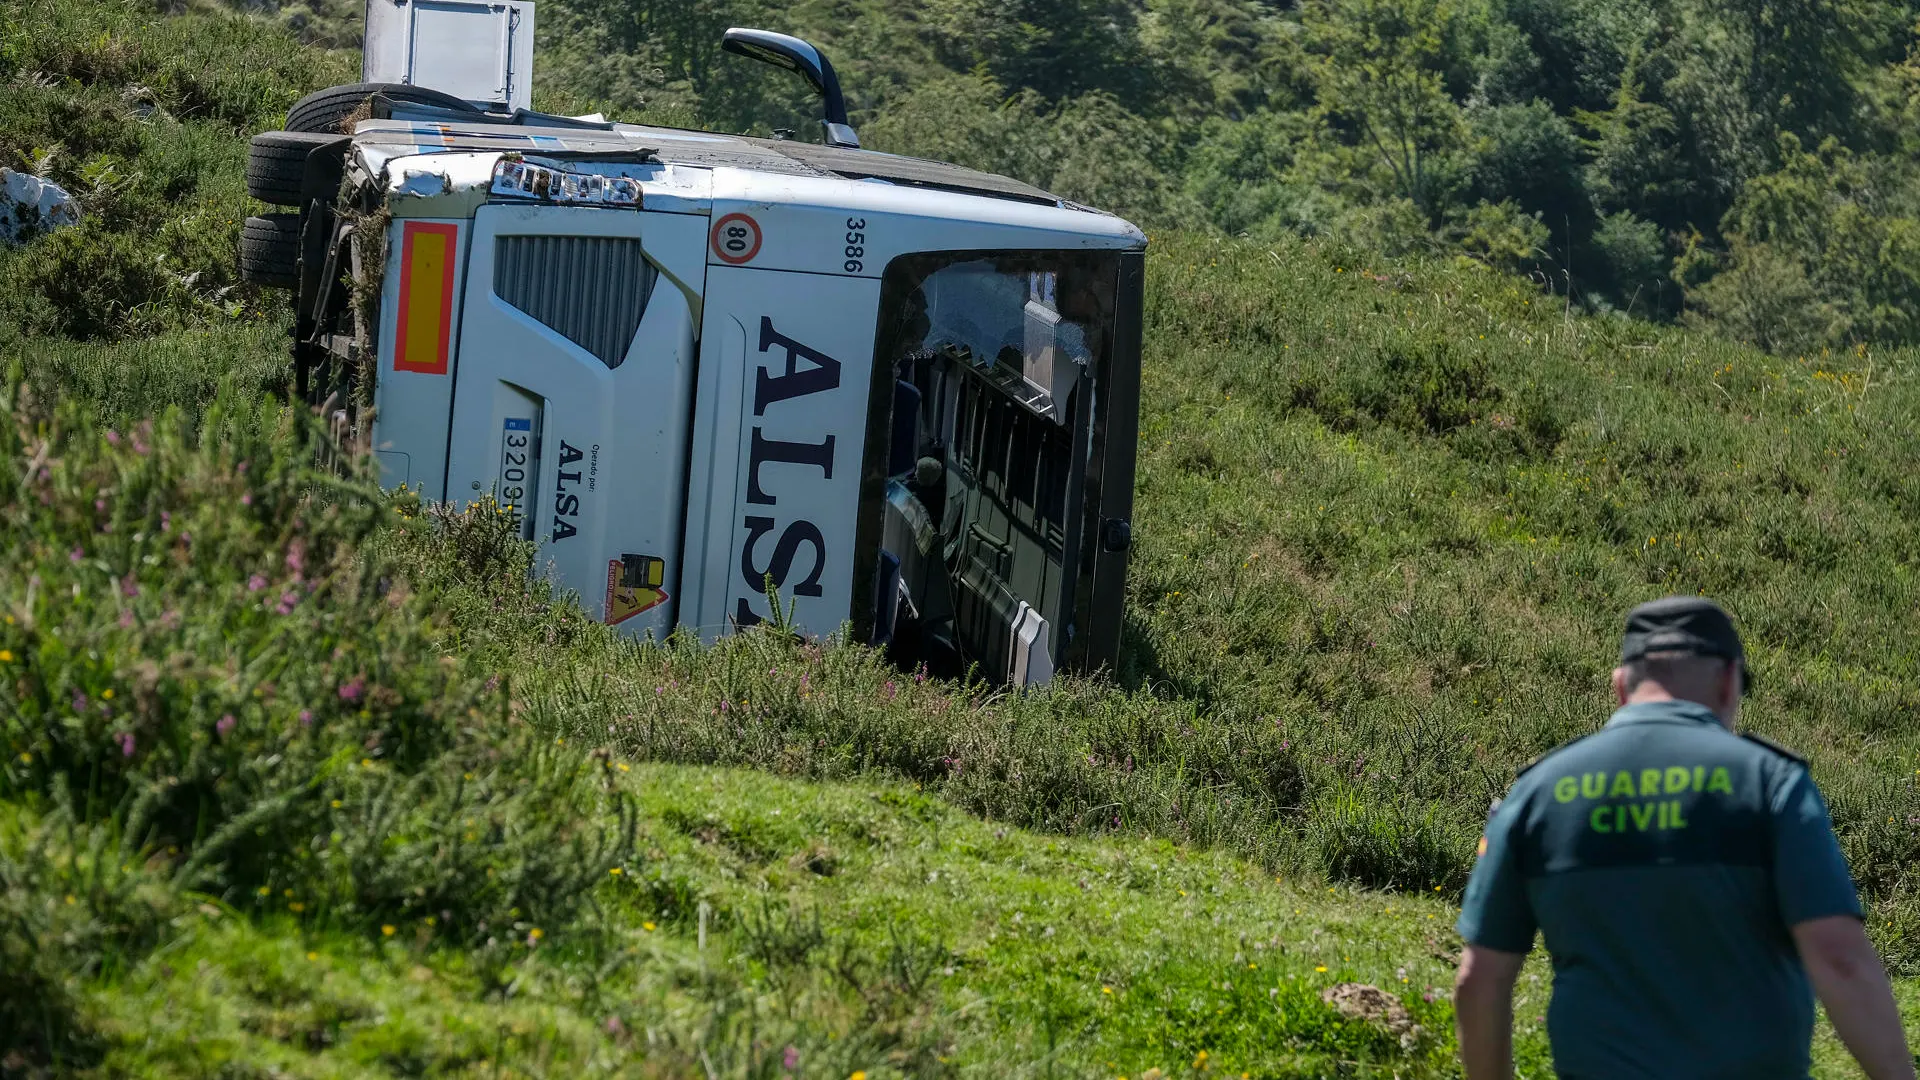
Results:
[692, 364]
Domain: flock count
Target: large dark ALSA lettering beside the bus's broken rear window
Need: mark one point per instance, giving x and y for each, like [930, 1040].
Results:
[800, 539]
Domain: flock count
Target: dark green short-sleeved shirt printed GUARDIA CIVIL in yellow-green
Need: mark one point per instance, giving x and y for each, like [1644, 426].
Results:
[1666, 860]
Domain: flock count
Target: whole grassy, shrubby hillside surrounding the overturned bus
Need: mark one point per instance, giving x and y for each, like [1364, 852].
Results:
[308, 779]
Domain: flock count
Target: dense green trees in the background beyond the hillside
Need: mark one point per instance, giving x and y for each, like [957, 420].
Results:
[1750, 164]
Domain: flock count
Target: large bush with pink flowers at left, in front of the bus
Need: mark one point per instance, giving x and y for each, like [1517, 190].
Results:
[210, 660]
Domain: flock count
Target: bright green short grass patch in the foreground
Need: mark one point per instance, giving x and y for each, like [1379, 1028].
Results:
[869, 927]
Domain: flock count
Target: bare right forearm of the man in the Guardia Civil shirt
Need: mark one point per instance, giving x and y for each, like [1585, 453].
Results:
[1854, 987]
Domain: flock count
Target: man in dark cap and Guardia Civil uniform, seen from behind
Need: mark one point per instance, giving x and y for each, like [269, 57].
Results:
[1687, 881]
